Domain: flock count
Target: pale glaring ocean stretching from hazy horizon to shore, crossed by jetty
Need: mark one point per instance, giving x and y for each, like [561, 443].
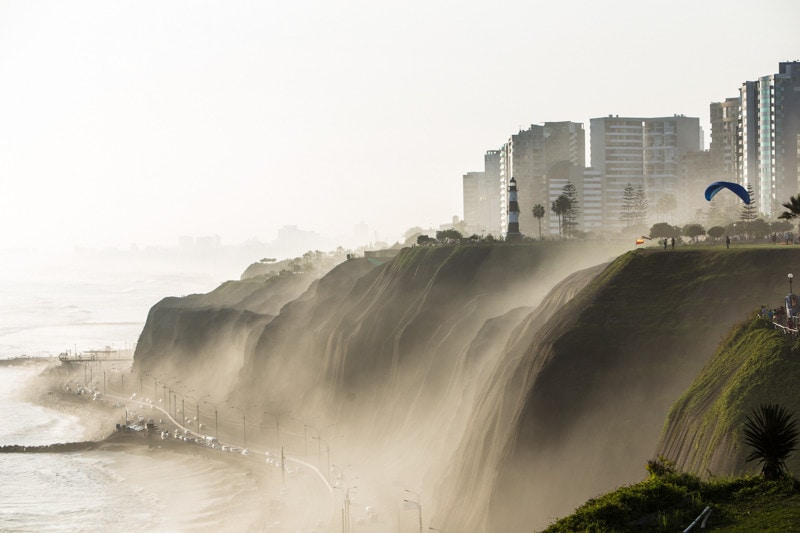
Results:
[48, 307]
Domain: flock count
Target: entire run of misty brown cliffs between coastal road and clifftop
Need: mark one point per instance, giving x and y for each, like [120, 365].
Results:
[462, 370]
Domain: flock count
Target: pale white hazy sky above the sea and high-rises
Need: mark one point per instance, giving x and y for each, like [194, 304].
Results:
[140, 121]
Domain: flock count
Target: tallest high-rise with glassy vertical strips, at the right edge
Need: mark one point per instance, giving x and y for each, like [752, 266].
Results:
[769, 128]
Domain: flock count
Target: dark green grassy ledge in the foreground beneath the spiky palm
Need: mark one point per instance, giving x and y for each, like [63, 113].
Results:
[671, 501]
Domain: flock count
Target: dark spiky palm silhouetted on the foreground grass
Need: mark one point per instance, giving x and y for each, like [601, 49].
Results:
[773, 435]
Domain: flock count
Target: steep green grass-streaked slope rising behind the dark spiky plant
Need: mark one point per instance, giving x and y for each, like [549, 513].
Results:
[754, 365]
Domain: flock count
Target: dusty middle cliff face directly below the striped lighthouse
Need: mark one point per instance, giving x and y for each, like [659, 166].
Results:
[385, 353]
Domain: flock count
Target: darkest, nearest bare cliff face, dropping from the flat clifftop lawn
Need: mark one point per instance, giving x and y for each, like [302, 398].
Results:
[601, 374]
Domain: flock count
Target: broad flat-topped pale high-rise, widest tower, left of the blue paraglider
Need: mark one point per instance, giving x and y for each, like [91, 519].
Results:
[640, 152]
